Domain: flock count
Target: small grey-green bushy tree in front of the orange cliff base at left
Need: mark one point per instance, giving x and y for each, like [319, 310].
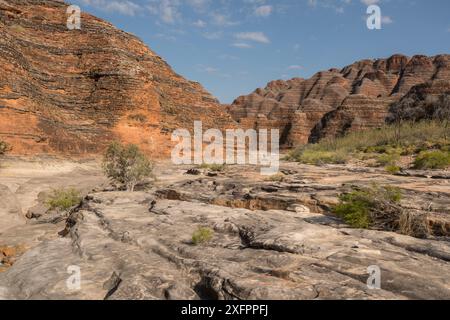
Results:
[126, 164]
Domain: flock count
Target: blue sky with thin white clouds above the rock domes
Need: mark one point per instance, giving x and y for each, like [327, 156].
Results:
[235, 46]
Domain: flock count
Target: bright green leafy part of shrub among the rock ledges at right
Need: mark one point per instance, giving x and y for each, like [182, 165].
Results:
[357, 207]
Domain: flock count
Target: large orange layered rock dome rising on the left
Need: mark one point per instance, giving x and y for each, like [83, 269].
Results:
[71, 92]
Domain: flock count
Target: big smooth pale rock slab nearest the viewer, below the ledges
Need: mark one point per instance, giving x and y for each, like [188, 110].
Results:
[125, 251]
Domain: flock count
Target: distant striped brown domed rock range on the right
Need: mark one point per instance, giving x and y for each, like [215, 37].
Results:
[334, 102]
